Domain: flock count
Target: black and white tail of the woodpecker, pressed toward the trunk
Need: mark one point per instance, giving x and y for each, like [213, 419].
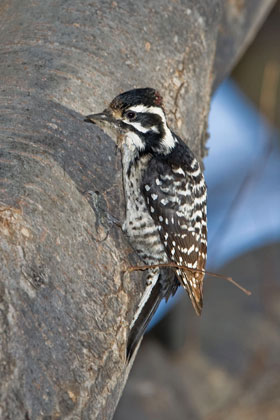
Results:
[161, 284]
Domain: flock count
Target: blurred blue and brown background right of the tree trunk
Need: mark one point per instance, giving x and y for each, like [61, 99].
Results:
[226, 365]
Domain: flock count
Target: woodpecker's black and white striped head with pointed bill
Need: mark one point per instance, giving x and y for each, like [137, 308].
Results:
[136, 119]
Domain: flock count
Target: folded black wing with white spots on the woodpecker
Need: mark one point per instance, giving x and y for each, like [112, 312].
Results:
[176, 200]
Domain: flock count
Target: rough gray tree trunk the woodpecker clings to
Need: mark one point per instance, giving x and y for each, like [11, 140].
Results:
[65, 306]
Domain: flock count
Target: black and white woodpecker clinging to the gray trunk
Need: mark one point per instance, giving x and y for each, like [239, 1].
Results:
[165, 196]
